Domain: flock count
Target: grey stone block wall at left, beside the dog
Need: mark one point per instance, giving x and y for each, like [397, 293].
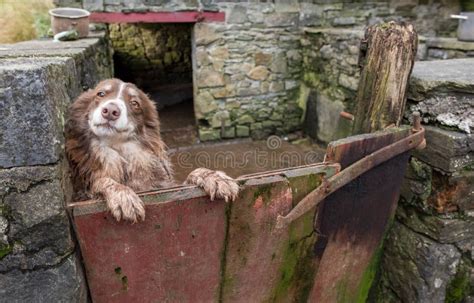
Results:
[38, 80]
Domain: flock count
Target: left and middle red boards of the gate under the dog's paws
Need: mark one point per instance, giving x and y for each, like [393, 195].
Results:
[188, 244]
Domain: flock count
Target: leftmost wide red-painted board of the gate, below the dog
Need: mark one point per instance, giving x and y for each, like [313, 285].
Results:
[173, 256]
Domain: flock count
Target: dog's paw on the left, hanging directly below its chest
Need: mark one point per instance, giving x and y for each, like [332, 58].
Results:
[125, 204]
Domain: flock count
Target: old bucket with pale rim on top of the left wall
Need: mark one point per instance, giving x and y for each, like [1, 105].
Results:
[65, 19]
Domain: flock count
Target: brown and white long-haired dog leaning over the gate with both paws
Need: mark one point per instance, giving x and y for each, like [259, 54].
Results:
[114, 147]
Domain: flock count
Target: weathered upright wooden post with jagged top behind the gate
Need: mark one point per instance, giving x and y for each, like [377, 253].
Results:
[386, 58]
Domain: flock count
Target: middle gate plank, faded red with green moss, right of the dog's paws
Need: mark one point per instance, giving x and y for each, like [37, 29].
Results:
[265, 264]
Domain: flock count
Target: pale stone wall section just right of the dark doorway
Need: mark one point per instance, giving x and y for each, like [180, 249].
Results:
[247, 73]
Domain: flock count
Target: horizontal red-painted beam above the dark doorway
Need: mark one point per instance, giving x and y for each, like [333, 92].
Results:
[158, 17]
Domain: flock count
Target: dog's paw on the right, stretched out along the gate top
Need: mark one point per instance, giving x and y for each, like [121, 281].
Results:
[216, 184]
